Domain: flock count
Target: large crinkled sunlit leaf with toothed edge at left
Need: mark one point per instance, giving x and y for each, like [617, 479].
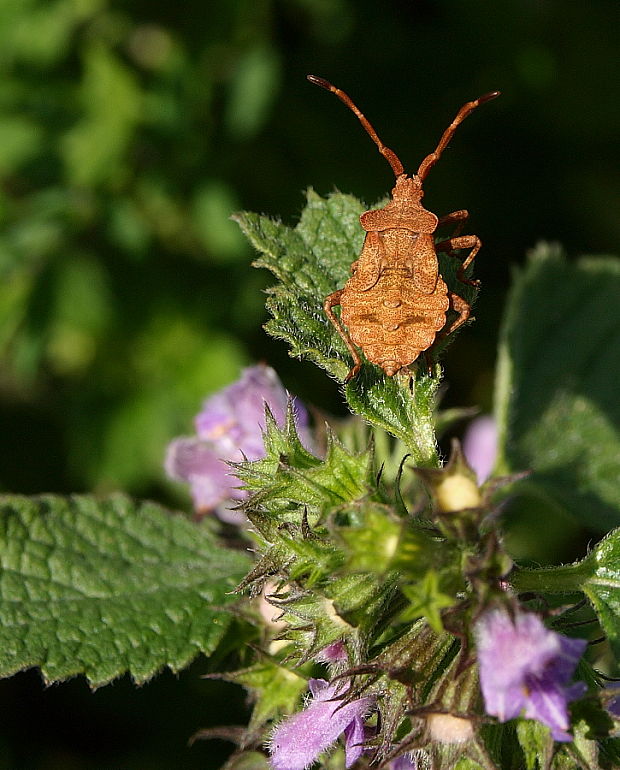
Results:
[104, 587]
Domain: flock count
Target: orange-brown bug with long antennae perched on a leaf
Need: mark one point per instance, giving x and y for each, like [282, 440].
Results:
[394, 305]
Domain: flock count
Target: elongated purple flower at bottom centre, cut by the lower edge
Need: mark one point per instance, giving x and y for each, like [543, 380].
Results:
[297, 741]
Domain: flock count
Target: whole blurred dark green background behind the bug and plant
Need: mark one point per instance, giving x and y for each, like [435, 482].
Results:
[130, 131]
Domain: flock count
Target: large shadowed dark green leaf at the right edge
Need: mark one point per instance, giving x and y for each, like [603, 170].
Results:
[556, 392]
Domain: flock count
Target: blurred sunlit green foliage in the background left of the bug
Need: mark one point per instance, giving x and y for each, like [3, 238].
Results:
[115, 225]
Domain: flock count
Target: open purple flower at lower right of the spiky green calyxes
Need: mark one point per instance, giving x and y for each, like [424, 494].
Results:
[525, 668]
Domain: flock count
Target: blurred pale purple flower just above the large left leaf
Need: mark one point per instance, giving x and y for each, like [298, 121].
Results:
[230, 428]
